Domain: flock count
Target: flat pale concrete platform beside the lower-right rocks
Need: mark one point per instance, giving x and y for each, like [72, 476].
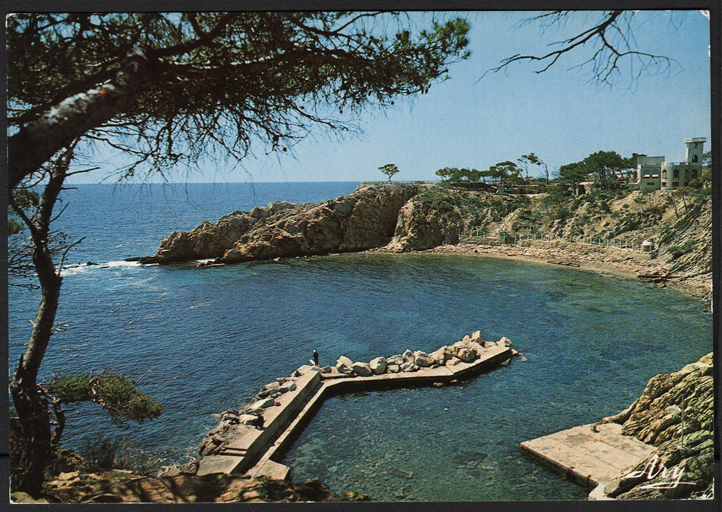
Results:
[586, 457]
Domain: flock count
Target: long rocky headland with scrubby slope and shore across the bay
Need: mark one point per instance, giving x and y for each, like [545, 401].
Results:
[600, 232]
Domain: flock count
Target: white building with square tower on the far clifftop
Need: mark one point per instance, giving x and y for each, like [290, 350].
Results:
[653, 173]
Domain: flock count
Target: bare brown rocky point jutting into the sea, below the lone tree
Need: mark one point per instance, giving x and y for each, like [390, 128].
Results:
[363, 220]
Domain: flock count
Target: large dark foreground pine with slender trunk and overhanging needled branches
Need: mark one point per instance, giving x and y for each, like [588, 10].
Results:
[167, 89]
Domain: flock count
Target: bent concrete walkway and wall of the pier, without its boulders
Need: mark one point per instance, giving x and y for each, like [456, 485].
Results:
[258, 451]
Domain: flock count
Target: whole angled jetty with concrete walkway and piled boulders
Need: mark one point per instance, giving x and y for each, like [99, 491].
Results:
[253, 439]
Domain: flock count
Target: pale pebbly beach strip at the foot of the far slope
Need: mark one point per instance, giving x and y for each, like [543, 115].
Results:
[619, 263]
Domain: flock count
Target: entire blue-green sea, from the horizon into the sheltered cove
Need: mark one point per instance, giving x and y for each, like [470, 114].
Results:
[203, 340]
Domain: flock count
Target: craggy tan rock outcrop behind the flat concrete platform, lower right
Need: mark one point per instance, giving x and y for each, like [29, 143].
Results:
[675, 413]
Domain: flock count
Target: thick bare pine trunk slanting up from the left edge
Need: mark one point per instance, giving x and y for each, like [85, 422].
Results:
[37, 142]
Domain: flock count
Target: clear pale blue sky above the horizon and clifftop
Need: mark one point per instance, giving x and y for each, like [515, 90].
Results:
[476, 119]
